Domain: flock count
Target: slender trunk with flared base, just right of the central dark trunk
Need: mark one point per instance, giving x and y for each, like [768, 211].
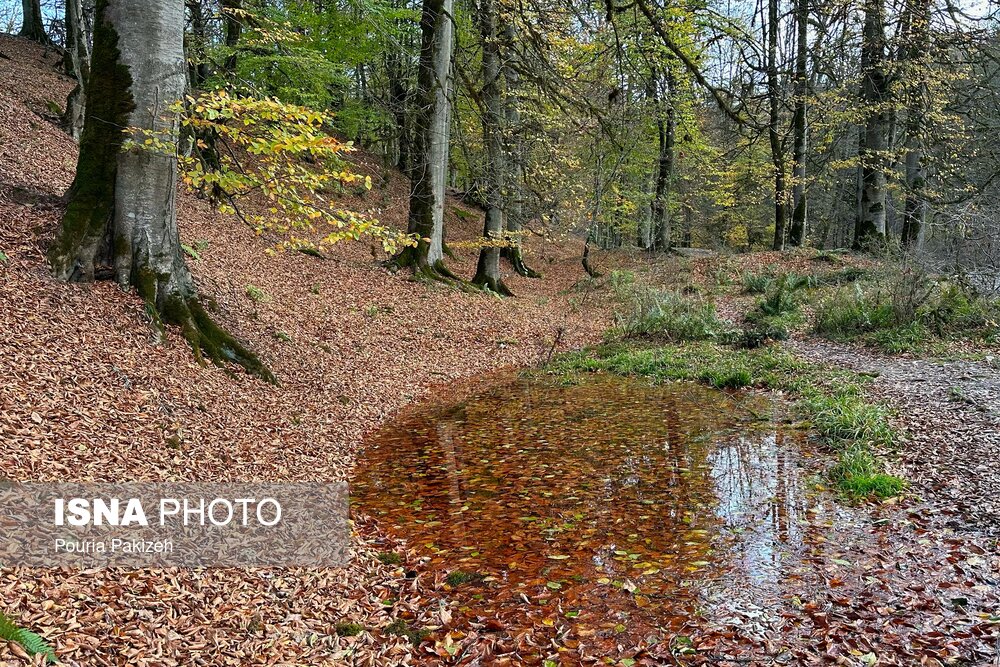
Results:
[515, 164]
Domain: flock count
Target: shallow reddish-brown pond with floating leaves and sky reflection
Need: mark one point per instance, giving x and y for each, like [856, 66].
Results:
[606, 511]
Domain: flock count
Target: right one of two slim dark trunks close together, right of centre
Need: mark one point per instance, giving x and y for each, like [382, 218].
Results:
[800, 208]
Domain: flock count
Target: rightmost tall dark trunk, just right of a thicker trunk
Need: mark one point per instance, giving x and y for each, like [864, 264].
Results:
[915, 208]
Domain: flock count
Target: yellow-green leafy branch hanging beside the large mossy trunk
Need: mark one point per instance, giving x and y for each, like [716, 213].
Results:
[282, 158]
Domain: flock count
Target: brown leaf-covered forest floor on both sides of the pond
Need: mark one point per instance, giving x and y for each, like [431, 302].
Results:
[84, 395]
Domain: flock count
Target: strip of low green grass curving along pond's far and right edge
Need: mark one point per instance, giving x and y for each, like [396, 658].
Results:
[830, 400]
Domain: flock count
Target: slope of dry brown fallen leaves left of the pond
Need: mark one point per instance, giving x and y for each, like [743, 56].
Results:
[85, 395]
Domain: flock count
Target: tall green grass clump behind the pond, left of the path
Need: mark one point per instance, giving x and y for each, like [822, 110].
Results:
[646, 312]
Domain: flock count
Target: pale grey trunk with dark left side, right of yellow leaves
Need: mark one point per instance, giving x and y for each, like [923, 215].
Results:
[431, 135]
